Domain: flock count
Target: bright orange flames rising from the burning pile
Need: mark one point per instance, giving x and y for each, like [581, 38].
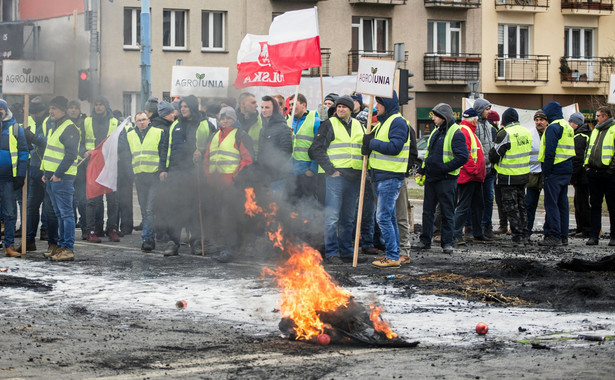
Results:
[307, 289]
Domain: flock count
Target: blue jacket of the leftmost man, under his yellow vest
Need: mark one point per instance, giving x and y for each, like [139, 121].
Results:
[6, 165]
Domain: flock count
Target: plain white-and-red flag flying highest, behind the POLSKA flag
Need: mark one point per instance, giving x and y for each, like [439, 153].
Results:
[294, 41]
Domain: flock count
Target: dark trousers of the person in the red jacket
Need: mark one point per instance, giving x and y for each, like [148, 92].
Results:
[469, 199]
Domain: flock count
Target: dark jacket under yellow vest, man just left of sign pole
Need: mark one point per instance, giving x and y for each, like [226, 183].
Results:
[322, 140]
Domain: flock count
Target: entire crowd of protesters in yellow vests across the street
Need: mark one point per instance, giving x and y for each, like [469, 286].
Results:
[190, 164]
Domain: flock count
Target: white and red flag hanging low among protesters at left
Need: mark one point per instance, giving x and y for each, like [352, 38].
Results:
[102, 168]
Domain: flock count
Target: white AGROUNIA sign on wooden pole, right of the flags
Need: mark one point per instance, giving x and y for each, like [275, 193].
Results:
[376, 77]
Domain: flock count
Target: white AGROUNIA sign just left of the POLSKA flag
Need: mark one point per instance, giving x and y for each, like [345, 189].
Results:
[199, 81]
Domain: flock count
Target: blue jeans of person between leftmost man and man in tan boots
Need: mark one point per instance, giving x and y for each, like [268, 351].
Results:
[36, 197]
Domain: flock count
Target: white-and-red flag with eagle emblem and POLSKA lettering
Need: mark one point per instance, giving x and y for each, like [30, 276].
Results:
[254, 67]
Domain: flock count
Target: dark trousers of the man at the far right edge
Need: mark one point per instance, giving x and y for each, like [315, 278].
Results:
[601, 186]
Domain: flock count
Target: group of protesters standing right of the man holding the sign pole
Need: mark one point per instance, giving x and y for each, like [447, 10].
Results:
[466, 165]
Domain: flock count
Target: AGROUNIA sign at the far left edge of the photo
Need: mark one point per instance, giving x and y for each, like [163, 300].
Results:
[27, 77]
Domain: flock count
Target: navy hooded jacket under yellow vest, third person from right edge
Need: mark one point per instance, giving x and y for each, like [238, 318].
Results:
[552, 134]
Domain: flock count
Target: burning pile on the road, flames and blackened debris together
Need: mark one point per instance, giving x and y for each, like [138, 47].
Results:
[311, 303]
